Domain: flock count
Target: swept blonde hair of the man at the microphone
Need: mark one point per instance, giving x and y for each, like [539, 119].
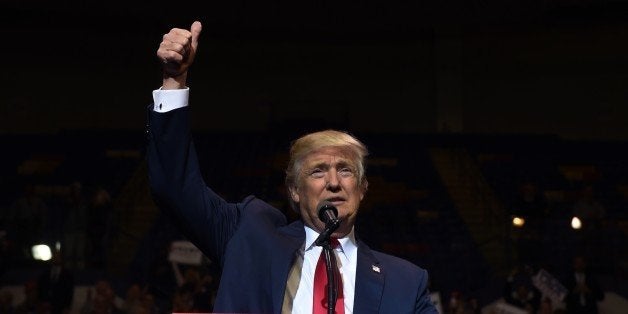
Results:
[311, 142]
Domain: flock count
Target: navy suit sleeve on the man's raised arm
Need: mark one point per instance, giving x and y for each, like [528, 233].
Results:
[178, 188]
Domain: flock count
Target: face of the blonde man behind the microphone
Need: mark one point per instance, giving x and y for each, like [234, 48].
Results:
[329, 174]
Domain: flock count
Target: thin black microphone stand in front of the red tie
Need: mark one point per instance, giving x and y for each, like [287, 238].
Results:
[330, 262]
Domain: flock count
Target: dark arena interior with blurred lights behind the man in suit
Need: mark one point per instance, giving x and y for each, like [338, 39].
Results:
[497, 132]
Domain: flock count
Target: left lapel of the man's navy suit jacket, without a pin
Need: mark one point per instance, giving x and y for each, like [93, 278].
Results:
[289, 240]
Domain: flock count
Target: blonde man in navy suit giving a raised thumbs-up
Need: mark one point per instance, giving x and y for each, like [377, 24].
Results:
[268, 265]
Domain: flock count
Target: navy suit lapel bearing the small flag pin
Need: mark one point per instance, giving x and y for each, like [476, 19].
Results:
[369, 281]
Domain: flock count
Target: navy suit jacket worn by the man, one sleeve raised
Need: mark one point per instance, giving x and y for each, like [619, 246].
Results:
[252, 241]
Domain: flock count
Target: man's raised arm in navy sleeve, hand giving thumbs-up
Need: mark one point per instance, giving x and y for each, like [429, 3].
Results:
[175, 178]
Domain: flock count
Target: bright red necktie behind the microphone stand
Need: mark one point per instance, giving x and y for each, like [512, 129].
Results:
[320, 285]
